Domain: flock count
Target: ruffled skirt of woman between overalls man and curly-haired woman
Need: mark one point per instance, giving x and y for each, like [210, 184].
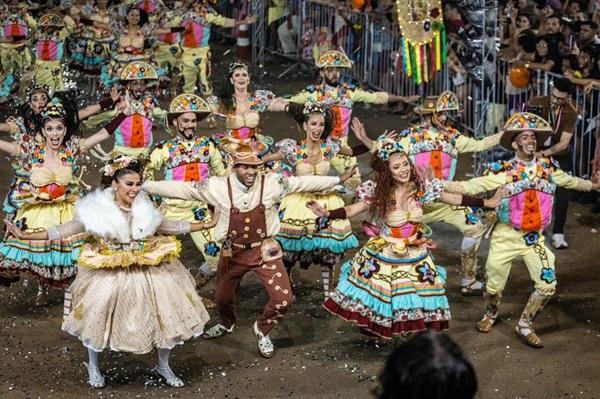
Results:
[299, 233]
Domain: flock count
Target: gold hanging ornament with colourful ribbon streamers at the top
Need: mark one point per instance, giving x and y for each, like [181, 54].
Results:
[423, 42]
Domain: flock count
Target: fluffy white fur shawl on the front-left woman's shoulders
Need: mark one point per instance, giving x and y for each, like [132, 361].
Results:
[101, 216]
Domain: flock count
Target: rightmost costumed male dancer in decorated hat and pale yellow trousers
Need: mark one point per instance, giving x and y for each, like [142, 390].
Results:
[524, 212]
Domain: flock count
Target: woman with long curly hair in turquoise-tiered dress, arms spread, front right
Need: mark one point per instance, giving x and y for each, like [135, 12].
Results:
[392, 285]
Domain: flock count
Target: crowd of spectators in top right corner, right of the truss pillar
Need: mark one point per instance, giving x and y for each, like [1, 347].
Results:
[554, 36]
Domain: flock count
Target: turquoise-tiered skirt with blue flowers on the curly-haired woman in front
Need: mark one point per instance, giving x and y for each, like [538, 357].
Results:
[389, 290]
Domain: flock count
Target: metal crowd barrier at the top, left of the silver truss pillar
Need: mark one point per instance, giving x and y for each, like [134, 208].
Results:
[371, 41]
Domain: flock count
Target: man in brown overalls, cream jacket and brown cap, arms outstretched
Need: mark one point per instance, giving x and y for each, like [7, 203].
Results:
[246, 228]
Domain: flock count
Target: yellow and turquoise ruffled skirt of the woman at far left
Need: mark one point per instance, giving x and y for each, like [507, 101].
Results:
[52, 263]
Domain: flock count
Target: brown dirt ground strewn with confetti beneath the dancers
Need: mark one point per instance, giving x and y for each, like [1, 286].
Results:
[319, 356]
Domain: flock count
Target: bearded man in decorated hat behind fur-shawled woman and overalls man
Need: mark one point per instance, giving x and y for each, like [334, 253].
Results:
[190, 157]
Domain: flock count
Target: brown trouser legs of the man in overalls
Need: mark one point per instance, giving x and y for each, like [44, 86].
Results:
[273, 277]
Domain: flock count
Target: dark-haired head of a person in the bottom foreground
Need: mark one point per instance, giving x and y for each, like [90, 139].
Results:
[429, 366]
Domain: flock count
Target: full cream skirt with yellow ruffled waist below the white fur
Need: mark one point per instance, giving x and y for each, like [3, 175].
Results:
[132, 305]
